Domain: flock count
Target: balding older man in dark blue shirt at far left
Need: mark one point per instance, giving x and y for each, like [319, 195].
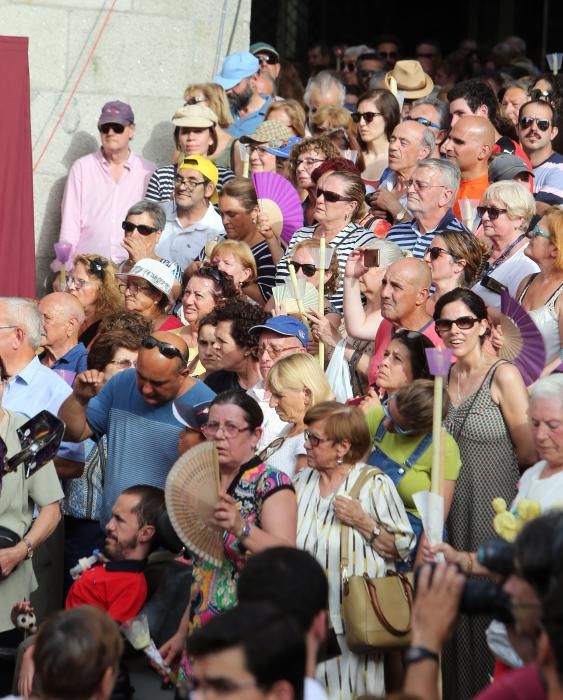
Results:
[61, 317]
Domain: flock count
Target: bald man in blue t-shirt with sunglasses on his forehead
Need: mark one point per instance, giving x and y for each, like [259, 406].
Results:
[134, 411]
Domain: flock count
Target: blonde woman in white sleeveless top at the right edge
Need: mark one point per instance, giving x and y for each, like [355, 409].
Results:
[541, 293]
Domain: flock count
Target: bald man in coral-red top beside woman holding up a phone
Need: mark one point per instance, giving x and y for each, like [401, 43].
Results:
[404, 292]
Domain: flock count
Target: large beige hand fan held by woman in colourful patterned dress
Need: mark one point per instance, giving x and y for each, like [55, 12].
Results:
[191, 492]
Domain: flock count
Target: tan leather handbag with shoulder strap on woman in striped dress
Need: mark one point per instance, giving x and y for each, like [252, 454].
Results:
[376, 612]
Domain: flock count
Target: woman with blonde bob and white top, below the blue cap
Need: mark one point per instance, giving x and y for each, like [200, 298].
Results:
[296, 383]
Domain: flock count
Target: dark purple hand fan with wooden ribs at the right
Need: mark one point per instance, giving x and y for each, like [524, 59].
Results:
[523, 343]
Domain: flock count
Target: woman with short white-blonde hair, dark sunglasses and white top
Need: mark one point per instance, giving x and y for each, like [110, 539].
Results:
[507, 207]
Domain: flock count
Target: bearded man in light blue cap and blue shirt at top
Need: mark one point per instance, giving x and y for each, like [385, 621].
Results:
[238, 78]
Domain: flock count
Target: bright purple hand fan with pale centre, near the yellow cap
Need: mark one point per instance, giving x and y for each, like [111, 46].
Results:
[279, 200]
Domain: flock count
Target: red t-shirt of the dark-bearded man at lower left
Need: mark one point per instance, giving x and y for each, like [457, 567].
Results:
[118, 587]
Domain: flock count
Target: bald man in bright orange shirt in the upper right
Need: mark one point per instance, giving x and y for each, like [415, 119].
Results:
[470, 145]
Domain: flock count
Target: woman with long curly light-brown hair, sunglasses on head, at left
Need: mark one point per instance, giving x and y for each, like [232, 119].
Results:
[95, 285]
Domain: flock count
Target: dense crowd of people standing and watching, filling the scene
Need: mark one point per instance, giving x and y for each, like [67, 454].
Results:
[431, 192]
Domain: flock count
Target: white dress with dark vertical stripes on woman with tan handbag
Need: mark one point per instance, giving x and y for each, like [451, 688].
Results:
[318, 532]
